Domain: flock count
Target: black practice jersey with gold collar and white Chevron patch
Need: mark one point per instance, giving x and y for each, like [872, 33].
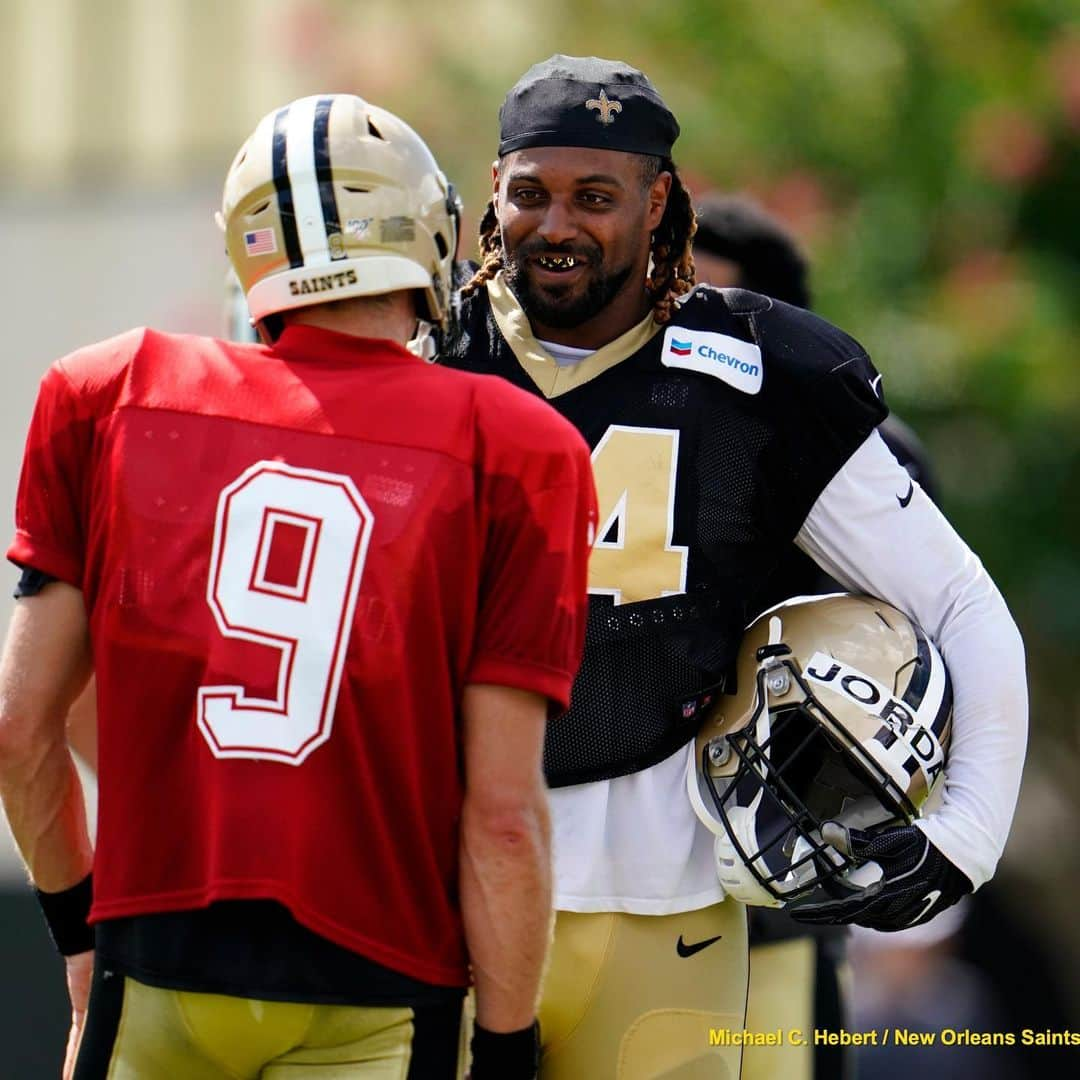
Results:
[712, 439]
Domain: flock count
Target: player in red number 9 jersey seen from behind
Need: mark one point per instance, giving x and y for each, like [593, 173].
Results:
[330, 593]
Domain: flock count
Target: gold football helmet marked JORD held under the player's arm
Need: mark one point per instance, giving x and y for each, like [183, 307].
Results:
[841, 719]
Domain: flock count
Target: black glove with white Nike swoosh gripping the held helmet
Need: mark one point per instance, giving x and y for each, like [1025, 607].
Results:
[917, 881]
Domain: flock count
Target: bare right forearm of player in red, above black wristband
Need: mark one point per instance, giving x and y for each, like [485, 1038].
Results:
[506, 902]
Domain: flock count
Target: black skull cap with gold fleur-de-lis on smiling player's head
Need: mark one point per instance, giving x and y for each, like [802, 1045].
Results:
[587, 102]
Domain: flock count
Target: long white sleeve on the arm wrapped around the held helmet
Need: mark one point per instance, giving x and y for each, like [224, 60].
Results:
[861, 533]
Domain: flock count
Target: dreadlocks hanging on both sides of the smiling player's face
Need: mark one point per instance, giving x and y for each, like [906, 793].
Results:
[672, 262]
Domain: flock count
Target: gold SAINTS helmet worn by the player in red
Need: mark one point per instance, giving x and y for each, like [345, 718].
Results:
[332, 198]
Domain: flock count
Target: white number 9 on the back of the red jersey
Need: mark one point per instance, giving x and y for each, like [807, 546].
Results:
[301, 603]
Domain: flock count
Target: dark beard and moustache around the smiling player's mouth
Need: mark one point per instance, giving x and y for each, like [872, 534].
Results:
[559, 306]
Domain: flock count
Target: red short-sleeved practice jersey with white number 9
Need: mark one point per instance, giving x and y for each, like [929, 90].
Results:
[294, 559]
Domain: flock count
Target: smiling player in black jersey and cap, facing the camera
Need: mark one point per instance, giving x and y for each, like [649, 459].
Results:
[725, 427]
